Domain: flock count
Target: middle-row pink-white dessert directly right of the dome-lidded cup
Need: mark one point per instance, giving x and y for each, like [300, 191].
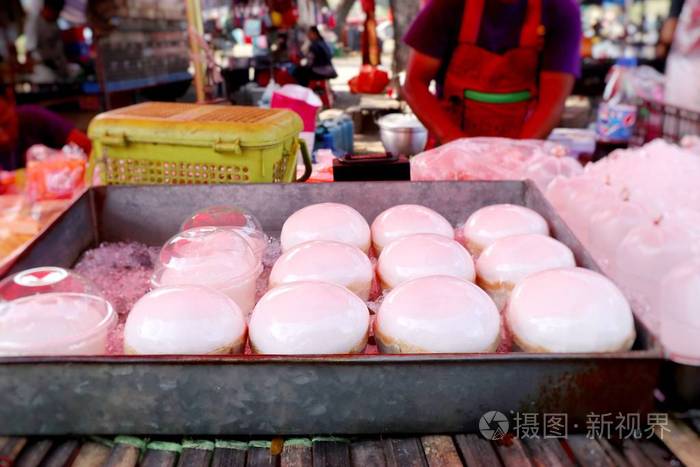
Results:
[334, 262]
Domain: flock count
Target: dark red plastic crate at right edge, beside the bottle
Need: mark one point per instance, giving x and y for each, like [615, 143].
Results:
[659, 120]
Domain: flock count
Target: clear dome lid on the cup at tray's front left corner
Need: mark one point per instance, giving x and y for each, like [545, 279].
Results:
[43, 280]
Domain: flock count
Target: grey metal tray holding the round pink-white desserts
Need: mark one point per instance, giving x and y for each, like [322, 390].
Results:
[267, 395]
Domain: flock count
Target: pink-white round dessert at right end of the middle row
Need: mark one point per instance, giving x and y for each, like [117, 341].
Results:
[506, 262]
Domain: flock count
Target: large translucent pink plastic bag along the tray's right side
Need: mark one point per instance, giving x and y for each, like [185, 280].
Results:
[646, 225]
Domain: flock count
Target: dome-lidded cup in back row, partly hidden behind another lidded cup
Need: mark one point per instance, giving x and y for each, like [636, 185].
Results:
[246, 224]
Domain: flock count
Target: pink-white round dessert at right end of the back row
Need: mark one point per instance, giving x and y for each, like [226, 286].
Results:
[492, 223]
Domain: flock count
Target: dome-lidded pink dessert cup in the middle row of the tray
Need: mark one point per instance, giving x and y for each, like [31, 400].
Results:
[215, 257]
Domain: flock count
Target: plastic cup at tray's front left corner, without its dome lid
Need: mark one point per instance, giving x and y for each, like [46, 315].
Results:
[56, 323]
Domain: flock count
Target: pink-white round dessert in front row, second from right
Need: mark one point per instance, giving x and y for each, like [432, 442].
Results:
[437, 314]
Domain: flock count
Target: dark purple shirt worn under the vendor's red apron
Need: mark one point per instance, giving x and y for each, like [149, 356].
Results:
[435, 31]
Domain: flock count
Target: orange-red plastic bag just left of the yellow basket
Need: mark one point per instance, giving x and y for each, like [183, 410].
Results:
[53, 174]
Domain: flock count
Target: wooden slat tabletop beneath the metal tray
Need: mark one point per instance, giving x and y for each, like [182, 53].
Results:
[425, 451]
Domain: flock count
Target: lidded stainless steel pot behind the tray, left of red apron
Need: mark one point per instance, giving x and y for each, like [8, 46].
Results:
[402, 134]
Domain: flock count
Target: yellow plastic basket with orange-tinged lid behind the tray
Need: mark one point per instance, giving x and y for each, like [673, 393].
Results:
[173, 143]
